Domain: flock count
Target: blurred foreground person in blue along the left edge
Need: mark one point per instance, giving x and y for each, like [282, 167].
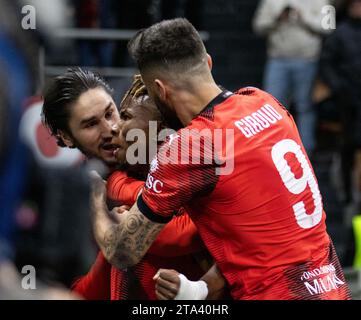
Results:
[17, 75]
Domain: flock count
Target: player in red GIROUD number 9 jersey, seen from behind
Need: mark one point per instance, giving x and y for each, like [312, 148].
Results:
[263, 222]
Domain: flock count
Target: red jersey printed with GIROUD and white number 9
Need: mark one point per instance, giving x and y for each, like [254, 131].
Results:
[252, 193]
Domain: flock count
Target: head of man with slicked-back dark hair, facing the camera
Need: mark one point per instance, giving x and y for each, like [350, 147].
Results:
[80, 112]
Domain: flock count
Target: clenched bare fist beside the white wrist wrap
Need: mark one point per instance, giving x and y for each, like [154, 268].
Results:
[167, 284]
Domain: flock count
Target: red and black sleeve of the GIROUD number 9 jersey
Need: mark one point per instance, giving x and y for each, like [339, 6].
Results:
[183, 169]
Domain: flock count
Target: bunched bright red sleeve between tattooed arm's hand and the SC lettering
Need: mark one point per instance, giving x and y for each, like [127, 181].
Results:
[122, 188]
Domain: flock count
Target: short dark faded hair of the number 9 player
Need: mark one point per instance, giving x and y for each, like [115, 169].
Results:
[167, 44]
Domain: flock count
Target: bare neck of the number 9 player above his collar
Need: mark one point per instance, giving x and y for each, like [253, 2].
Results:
[188, 104]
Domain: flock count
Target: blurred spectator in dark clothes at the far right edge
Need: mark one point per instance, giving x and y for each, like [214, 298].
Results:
[340, 70]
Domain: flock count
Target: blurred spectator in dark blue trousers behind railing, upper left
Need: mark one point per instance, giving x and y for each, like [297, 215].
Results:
[96, 14]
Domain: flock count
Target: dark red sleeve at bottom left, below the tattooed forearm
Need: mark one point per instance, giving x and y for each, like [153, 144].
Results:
[95, 285]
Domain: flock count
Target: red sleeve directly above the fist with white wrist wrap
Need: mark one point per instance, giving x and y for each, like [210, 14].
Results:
[179, 237]
